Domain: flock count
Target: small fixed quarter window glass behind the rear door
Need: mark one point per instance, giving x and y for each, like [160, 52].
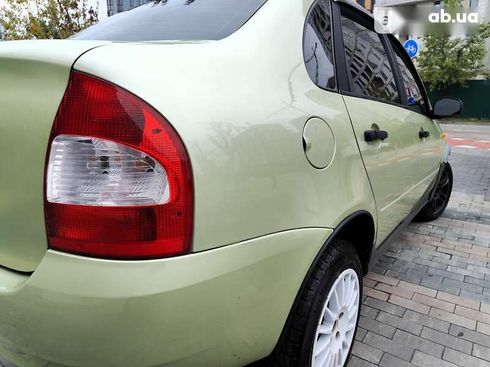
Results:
[317, 46]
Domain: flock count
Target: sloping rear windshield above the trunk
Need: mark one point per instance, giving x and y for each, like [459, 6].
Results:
[184, 20]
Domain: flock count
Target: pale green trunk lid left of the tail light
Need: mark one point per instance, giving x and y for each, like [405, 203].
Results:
[33, 78]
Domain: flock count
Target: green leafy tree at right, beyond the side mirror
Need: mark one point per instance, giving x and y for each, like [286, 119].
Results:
[446, 60]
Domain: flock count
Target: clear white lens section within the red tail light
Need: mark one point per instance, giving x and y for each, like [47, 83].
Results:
[92, 171]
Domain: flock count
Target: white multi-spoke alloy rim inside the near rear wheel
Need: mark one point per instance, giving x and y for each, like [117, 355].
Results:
[337, 324]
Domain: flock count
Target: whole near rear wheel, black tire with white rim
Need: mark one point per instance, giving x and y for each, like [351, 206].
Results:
[321, 328]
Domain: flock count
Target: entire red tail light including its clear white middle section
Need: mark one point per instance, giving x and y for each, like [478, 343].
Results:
[118, 178]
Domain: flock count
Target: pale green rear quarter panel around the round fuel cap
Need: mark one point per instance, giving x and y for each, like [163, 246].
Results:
[240, 106]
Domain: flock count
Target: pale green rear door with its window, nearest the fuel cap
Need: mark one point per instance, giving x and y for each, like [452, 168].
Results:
[374, 100]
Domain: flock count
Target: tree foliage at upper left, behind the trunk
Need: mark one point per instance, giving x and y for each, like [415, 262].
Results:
[41, 19]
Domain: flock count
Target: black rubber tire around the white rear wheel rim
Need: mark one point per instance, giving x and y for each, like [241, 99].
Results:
[295, 346]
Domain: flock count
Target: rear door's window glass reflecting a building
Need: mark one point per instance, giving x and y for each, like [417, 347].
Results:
[368, 63]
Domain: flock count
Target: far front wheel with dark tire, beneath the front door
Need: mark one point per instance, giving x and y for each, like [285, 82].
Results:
[435, 207]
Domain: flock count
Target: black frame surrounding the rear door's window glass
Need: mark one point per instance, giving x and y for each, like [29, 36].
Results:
[368, 22]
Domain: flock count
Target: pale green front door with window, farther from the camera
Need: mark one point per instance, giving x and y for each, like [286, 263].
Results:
[431, 150]
